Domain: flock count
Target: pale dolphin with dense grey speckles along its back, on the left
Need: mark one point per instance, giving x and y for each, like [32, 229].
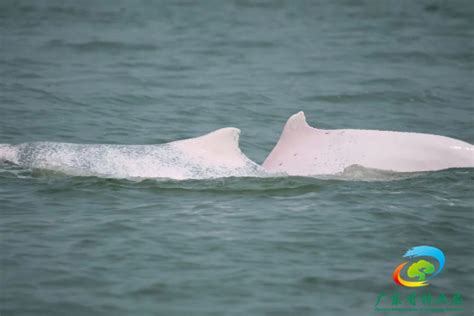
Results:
[213, 155]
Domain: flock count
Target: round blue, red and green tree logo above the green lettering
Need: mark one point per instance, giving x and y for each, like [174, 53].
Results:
[421, 269]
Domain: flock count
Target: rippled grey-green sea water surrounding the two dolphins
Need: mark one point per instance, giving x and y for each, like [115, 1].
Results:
[147, 72]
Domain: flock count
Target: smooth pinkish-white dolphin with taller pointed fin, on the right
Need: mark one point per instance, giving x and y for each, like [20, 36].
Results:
[306, 151]
